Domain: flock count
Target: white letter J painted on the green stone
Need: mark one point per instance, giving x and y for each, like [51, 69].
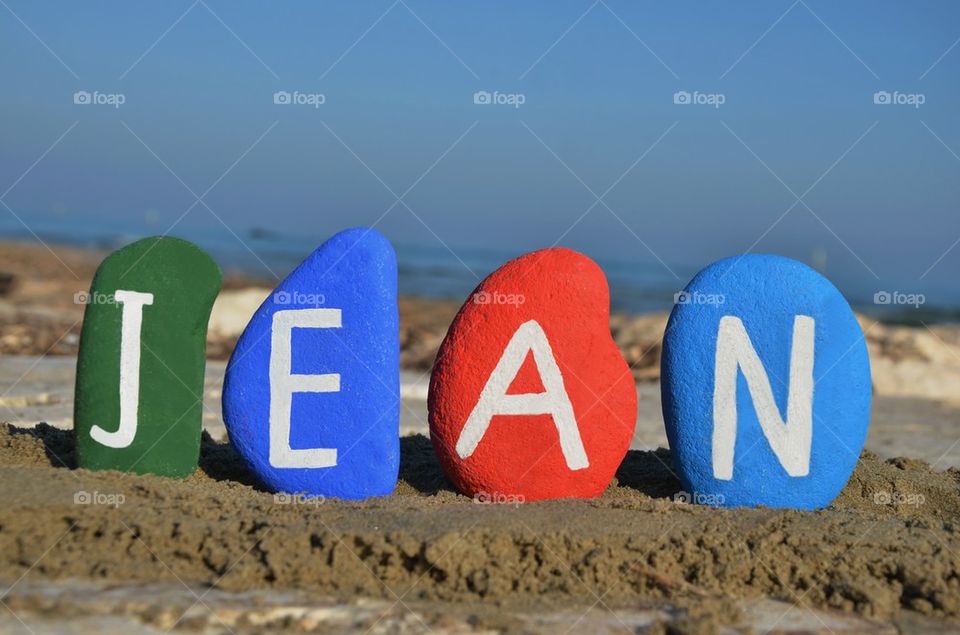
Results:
[131, 319]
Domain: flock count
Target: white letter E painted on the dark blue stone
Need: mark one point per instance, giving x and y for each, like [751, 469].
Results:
[283, 383]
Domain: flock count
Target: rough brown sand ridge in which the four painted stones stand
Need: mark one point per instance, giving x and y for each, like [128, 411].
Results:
[886, 550]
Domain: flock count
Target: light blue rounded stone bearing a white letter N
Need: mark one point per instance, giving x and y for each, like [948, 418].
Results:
[766, 385]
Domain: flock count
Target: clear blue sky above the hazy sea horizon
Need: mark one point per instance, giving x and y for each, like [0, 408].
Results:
[680, 185]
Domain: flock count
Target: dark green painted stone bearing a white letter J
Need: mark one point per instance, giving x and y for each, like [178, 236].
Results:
[139, 390]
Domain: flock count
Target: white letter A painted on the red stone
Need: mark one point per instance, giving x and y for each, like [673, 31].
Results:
[554, 401]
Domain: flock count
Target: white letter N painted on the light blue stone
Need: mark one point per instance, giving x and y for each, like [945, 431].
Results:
[790, 440]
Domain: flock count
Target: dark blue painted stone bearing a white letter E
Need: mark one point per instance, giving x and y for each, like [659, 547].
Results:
[311, 398]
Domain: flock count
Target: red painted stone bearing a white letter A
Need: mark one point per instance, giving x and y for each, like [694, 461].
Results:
[530, 398]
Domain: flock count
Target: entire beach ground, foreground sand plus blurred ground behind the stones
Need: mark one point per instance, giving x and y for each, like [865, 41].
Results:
[107, 552]
